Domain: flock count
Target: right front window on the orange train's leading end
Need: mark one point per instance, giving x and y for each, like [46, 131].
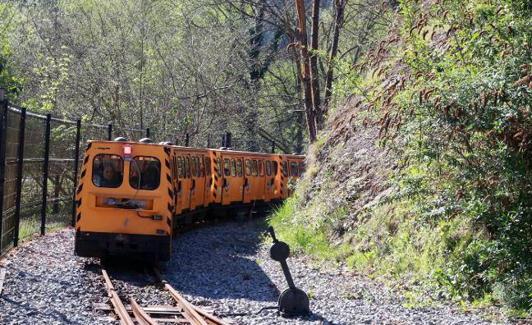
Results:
[145, 173]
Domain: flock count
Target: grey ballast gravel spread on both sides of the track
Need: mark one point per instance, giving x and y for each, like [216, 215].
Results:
[224, 267]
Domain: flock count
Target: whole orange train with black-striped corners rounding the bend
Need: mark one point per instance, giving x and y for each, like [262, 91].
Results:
[132, 196]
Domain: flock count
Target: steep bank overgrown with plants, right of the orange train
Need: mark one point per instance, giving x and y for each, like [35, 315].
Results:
[425, 175]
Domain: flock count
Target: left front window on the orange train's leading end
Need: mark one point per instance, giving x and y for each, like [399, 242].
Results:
[107, 170]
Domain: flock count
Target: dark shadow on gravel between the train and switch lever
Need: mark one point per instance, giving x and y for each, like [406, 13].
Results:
[221, 261]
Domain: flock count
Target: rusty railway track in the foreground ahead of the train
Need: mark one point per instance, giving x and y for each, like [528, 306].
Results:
[183, 313]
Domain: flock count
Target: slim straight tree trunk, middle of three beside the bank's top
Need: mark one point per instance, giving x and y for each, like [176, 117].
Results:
[314, 64]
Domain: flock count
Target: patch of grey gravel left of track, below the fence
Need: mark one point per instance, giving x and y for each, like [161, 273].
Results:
[47, 284]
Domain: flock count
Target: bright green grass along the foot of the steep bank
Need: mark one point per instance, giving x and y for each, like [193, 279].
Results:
[391, 244]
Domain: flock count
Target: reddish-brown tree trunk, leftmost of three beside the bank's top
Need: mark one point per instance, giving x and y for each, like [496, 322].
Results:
[305, 75]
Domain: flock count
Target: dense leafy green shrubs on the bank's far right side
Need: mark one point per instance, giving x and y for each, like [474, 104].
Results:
[469, 136]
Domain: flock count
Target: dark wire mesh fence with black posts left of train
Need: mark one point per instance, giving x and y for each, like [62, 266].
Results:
[39, 164]
